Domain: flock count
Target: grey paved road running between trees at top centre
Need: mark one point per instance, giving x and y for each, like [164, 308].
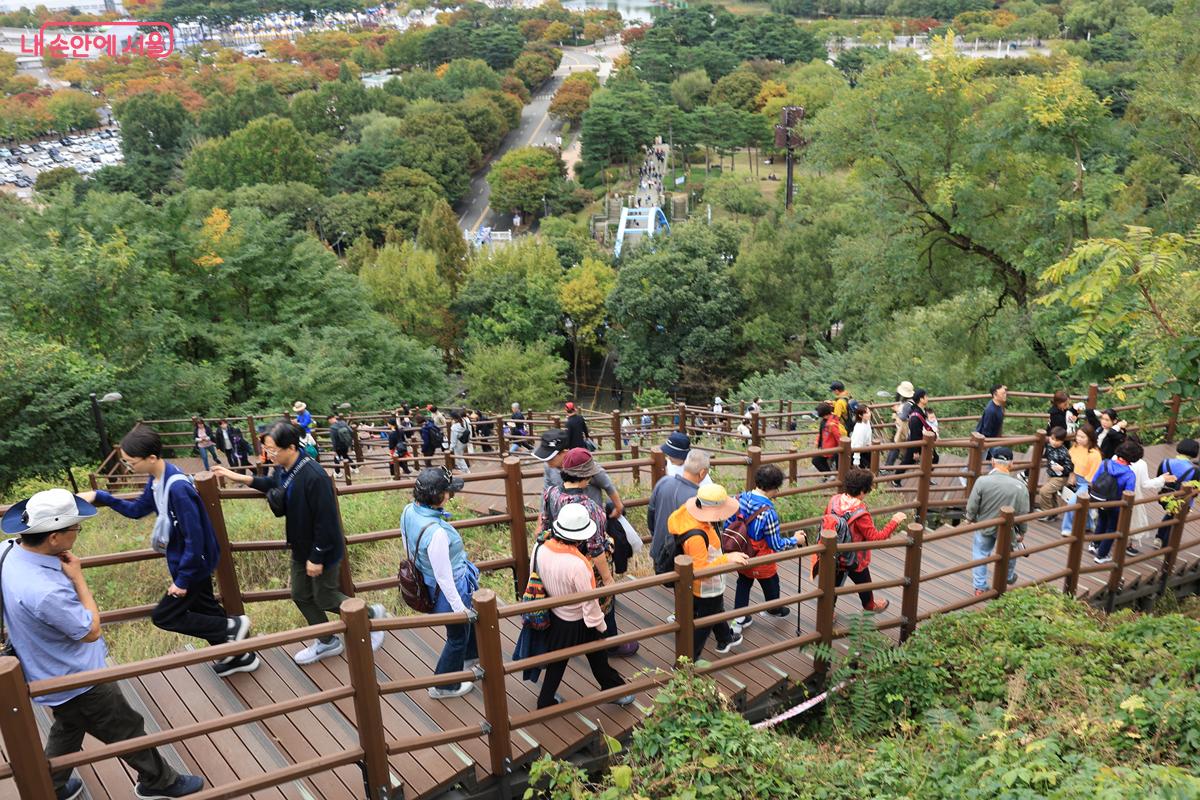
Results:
[537, 128]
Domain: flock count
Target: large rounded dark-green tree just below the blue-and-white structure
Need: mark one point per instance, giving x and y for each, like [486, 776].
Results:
[676, 309]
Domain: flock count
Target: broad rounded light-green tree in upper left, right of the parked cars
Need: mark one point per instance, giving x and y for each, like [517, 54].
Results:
[269, 151]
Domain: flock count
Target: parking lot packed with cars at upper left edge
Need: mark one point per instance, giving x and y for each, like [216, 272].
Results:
[86, 153]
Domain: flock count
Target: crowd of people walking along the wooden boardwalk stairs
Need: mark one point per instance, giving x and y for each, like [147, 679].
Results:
[583, 542]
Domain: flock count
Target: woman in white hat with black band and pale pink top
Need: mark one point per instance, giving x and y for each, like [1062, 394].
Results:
[566, 569]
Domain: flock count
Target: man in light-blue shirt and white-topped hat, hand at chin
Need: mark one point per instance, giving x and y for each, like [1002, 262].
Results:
[55, 628]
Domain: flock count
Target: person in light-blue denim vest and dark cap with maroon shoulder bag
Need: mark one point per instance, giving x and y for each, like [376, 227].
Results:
[437, 551]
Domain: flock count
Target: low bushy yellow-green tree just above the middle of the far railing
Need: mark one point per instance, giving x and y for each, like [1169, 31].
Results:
[495, 375]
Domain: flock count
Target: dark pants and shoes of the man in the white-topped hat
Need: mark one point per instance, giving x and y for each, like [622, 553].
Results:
[105, 713]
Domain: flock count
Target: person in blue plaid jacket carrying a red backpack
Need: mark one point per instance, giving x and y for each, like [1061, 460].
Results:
[758, 508]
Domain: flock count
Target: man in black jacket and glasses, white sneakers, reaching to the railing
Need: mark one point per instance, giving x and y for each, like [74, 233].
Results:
[314, 533]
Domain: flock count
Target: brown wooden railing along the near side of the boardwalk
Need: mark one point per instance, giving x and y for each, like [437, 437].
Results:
[31, 769]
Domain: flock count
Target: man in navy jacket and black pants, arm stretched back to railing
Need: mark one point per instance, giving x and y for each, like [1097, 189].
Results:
[184, 533]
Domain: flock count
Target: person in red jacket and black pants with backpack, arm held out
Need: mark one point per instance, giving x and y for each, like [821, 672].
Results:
[847, 514]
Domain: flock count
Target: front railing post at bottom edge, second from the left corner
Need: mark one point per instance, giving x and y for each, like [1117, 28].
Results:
[368, 713]
